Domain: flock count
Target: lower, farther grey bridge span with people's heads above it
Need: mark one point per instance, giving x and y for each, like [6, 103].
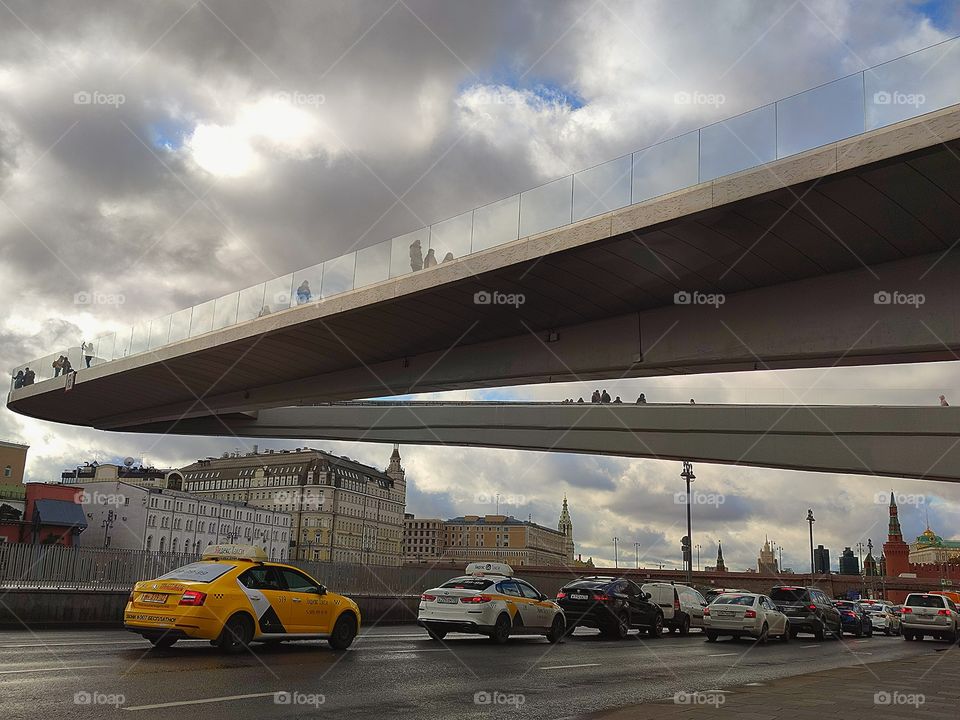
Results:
[913, 442]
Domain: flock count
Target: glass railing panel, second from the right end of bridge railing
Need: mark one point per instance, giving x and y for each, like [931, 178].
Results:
[823, 115]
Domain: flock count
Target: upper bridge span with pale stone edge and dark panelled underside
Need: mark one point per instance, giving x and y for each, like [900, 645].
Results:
[798, 248]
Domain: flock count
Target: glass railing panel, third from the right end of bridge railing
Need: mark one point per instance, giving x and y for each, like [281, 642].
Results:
[739, 143]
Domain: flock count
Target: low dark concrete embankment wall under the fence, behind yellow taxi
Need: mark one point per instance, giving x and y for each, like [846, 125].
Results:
[21, 609]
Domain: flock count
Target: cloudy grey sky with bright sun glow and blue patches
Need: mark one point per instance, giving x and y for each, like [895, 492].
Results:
[232, 141]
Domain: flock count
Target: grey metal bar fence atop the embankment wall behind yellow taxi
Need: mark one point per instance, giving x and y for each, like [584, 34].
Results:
[25, 566]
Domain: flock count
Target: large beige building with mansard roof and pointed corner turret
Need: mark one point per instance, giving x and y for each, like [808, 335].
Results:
[342, 510]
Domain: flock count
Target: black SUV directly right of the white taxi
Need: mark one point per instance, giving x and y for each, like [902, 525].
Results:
[613, 605]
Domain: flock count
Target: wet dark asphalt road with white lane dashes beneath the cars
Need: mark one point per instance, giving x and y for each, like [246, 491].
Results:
[393, 672]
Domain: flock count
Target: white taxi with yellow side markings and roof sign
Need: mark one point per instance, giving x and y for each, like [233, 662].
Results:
[489, 601]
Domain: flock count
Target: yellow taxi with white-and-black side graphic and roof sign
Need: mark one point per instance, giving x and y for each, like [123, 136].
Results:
[234, 597]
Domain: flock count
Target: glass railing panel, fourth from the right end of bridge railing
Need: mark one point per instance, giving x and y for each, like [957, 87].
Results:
[666, 167]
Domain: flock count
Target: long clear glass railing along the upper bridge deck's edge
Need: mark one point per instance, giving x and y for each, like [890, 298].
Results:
[910, 86]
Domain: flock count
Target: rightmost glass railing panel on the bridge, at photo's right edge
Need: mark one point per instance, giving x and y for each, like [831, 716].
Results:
[912, 85]
